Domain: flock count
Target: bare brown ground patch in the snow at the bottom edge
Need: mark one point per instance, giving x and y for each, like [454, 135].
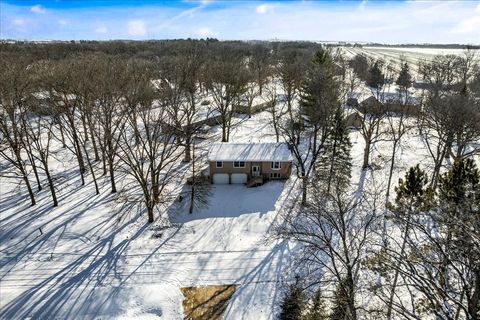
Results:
[206, 302]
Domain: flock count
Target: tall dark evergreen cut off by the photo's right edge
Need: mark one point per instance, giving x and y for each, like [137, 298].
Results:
[458, 218]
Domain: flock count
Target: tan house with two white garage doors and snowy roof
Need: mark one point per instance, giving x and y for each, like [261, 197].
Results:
[250, 163]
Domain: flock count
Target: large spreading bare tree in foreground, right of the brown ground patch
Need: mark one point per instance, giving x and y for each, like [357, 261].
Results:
[336, 232]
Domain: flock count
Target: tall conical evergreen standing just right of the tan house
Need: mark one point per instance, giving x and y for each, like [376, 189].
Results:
[334, 166]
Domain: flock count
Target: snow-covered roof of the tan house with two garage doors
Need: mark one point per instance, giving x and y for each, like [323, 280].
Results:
[226, 151]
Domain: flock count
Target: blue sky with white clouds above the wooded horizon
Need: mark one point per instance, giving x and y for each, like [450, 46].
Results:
[378, 21]
